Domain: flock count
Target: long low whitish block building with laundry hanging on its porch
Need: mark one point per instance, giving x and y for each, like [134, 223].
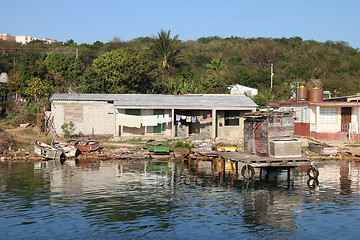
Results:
[149, 115]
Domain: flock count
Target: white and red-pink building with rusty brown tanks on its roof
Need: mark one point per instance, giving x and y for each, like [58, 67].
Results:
[330, 119]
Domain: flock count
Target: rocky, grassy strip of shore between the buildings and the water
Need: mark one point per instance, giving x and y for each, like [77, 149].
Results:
[134, 148]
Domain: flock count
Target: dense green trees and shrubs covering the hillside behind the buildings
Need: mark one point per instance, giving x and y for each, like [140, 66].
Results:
[164, 64]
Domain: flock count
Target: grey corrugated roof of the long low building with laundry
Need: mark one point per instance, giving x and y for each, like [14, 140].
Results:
[159, 100]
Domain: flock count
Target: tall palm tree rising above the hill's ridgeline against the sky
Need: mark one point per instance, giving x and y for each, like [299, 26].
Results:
[167, 49]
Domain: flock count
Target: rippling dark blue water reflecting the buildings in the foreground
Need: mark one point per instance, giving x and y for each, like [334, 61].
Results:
[164, 200]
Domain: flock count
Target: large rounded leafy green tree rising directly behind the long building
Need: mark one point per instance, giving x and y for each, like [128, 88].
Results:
[120, 71]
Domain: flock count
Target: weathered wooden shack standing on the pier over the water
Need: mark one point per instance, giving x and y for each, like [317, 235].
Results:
[271, 134]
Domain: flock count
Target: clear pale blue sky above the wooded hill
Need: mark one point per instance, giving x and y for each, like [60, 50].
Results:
[102, 20]
